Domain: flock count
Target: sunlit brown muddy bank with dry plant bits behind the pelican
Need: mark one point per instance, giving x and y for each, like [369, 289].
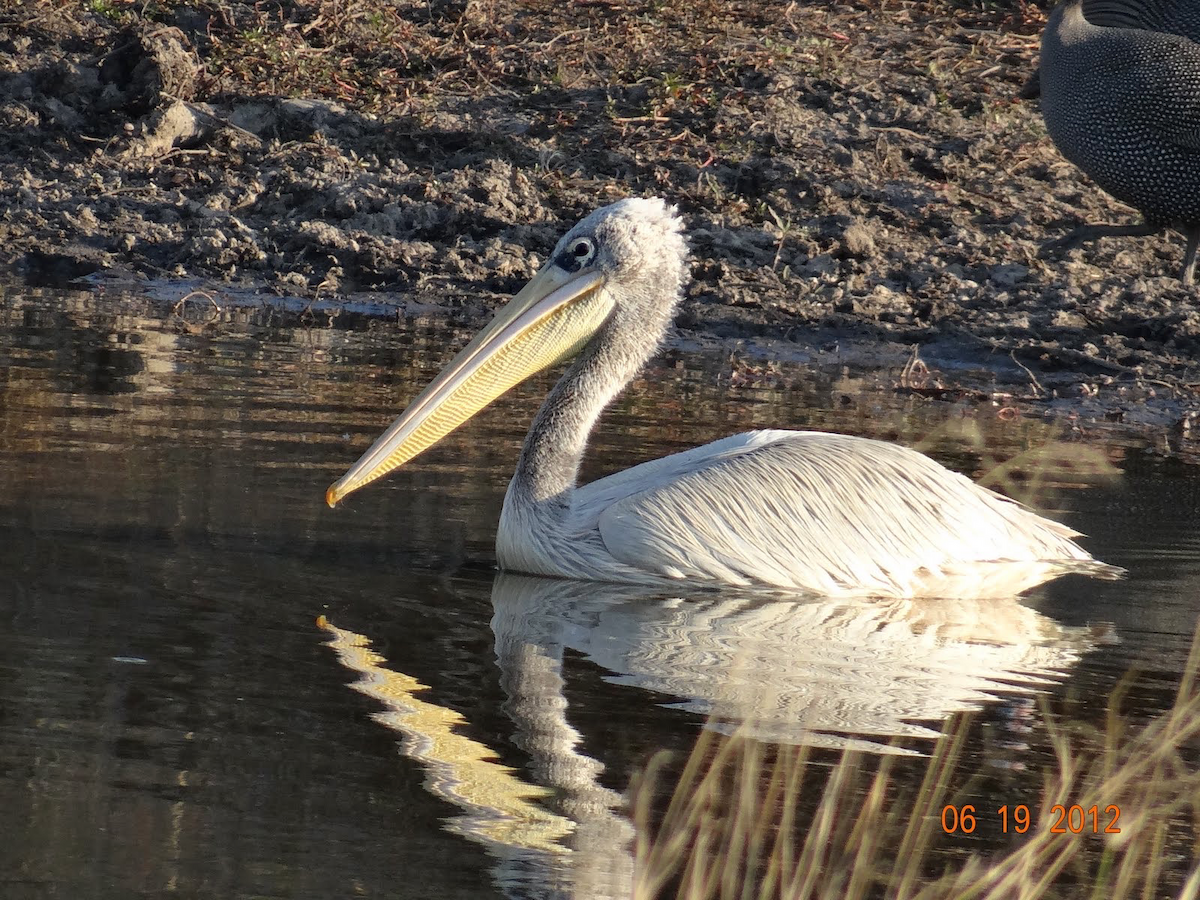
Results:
[853, 173]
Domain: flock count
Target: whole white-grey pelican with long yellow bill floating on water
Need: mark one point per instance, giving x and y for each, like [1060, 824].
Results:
[809, 512]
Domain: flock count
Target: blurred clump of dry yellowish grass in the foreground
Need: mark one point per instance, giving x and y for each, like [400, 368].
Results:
[739, 825]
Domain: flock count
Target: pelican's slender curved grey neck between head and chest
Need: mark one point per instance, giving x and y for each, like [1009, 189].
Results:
[550, 460]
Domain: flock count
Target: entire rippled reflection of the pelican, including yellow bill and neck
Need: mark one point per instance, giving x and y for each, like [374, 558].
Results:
[881, 676]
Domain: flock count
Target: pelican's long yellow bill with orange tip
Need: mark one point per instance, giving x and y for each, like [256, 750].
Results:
[549, 321]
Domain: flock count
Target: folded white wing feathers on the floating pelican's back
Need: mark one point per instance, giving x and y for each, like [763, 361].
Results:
[826, 513]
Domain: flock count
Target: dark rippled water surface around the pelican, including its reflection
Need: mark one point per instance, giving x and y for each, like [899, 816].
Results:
[173, 719]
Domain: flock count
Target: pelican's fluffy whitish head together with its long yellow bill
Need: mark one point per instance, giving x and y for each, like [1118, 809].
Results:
[613, 283]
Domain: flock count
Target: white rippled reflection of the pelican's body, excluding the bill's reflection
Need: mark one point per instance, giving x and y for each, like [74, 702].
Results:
[865, 674]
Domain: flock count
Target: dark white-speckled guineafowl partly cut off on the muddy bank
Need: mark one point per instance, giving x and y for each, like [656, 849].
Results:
[1120, 86]
